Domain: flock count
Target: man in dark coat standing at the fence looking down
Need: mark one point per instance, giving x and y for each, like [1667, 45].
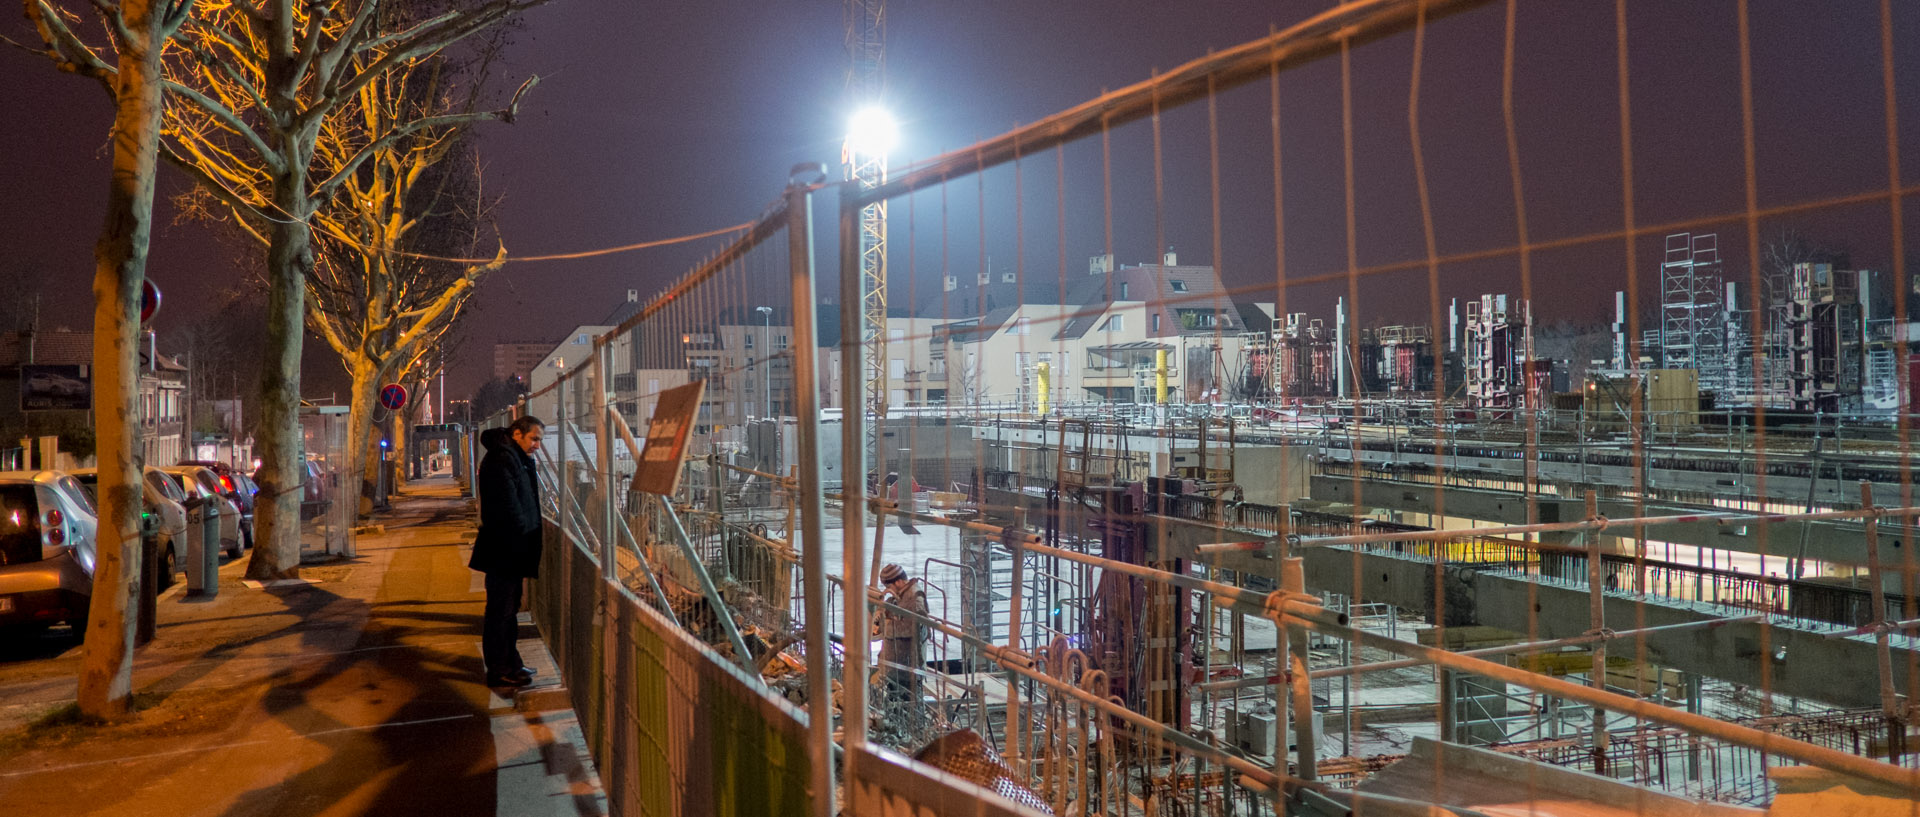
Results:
[508, 546]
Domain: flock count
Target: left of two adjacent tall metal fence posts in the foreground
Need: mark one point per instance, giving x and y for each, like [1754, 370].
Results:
[809, 496]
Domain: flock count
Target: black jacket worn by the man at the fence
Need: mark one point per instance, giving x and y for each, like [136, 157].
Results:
[510, 509]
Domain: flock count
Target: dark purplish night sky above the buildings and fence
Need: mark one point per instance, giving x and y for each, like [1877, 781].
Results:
[683, 118]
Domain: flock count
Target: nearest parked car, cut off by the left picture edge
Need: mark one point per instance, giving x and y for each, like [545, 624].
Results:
[47, 549]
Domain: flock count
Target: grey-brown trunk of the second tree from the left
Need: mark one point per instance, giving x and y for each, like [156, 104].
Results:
[281, 452]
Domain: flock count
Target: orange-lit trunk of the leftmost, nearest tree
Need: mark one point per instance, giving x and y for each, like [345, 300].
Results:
[120, 268]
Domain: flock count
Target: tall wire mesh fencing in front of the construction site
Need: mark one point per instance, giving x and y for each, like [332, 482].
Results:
[1310, 429]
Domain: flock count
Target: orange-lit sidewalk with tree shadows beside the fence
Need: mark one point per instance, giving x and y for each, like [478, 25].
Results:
[354, 693]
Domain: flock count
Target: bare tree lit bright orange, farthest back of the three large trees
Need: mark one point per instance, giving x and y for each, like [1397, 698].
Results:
[381, 291]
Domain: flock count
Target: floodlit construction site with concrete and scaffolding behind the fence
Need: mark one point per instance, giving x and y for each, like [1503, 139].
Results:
[1143, 542]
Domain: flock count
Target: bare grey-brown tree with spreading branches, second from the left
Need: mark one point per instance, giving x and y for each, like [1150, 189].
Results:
[254, 89]
